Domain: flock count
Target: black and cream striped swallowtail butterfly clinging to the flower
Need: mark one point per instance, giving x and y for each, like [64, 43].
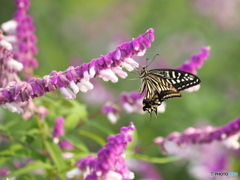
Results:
[162, 84]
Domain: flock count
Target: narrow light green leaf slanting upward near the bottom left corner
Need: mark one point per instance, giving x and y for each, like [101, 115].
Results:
[30, 167]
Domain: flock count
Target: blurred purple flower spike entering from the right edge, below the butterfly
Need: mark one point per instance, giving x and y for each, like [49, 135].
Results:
[227, 134]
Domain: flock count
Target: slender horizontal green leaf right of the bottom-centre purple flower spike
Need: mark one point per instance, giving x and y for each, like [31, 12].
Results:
[158, 160]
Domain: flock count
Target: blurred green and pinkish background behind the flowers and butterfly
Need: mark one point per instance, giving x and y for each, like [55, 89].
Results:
[73, 32]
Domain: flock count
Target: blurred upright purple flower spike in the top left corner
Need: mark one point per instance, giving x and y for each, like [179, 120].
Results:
[21, 33]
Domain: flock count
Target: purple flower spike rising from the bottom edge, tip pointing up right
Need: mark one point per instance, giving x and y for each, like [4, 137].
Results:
[109, 163]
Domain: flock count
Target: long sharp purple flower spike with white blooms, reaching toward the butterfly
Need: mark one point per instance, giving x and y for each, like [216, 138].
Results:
[77, 78]
